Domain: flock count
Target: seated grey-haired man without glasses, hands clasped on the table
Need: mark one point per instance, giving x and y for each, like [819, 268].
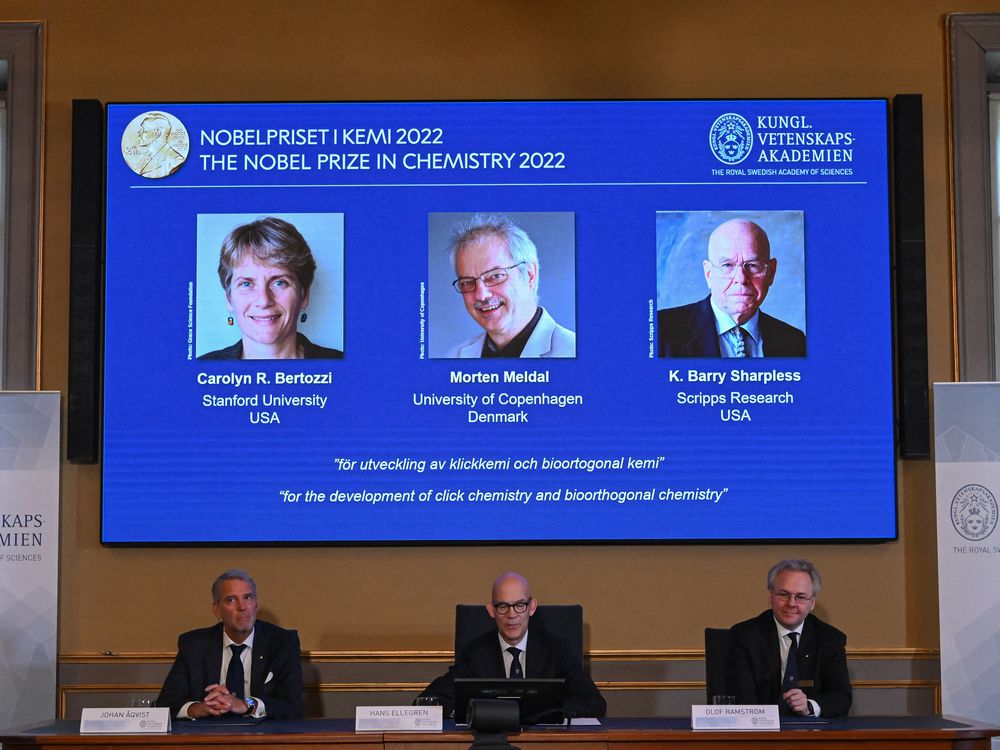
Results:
[240, 667]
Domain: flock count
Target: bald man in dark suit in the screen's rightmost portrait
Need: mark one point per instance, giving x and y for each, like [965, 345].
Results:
[739, 270]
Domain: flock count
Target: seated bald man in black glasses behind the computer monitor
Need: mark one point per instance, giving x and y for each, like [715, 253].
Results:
[509, 651]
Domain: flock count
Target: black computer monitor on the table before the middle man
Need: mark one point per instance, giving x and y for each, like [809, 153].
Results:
[541, 700]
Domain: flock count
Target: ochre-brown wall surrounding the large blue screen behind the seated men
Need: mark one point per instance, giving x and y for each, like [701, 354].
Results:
[636, 597]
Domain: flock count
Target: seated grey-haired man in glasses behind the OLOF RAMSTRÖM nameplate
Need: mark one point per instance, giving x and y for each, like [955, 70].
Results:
[788, 656]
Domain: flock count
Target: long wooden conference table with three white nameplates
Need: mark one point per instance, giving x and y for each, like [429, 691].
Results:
[895, 732]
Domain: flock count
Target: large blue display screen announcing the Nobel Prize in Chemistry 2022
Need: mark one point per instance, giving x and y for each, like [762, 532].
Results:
[495, 322]
